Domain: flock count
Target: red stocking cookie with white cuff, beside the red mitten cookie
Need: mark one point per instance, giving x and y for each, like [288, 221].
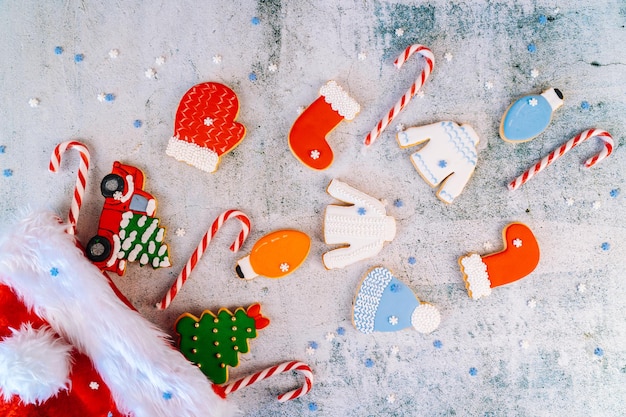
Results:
[307, 138]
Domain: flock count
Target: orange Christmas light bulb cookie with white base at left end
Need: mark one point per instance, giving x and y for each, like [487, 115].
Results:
[275, 255]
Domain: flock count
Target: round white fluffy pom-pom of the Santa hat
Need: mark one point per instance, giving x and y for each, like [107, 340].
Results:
[34, 364]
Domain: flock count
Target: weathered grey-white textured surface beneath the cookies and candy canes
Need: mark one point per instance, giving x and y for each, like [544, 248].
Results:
[552, 344]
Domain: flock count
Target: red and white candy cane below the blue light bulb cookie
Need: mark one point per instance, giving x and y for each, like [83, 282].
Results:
[557, 153]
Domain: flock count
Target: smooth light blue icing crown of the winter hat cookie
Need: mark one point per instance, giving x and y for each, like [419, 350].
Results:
[397, 300]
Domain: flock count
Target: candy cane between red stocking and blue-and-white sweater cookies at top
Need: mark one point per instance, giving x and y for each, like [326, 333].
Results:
[428, 56]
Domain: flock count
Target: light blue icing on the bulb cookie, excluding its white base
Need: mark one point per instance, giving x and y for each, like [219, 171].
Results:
[523, 121]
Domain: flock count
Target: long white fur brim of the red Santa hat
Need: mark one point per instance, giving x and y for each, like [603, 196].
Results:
[146, 376]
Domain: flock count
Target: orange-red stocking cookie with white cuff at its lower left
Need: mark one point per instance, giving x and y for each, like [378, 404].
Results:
[519, 258]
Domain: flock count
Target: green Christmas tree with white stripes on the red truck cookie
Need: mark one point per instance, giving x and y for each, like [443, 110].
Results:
[142, 240]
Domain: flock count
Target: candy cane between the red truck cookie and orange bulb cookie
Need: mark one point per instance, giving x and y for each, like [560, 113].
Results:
[206, 239]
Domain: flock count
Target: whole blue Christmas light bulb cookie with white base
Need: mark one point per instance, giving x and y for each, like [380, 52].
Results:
[527, 117]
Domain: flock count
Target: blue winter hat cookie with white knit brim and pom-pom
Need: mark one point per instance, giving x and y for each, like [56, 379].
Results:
[385, 304]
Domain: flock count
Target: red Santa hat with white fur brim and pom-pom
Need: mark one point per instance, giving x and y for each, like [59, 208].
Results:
[70, 346]
